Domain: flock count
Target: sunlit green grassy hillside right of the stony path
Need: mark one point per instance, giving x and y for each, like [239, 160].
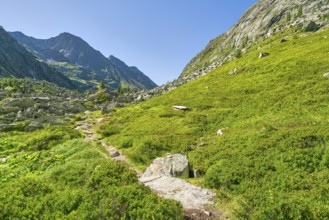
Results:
[272, 160]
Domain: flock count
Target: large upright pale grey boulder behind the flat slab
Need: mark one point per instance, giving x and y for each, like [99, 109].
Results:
[170, 165]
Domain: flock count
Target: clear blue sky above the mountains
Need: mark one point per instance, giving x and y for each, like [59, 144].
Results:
[157, 36]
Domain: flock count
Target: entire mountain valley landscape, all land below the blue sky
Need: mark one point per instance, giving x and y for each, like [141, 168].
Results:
[241, 134]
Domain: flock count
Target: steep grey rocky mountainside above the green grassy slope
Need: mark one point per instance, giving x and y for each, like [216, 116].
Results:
[263, 20]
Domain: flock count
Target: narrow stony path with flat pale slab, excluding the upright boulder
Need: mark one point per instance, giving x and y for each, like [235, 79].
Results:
[195, 200]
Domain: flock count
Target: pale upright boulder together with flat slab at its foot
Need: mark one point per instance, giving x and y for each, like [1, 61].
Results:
[160, 177]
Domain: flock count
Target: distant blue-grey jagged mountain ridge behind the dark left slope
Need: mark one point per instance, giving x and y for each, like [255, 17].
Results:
[69, 50]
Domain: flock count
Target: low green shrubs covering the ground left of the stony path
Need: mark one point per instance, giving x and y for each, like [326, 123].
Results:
[55, 174]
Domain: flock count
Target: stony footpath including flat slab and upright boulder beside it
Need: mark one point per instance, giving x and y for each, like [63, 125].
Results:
[161, 177]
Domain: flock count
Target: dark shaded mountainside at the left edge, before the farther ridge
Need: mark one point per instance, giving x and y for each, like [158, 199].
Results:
[16, 61]
